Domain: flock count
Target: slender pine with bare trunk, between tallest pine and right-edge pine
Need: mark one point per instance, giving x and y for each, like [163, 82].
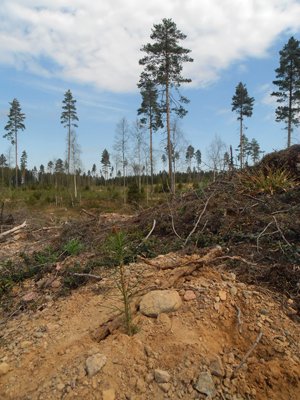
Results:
[243, 105]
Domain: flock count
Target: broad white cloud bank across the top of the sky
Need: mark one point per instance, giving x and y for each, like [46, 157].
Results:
[99, 42]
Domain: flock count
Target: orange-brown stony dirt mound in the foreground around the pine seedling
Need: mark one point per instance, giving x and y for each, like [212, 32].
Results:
[227, 340]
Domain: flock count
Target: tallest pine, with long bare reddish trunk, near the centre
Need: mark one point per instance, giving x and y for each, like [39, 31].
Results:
[164, 63]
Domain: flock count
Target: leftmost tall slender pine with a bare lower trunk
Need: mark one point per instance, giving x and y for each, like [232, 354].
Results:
[14, 125]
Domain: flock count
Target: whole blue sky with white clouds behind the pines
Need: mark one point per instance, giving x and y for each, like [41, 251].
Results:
[50, 46]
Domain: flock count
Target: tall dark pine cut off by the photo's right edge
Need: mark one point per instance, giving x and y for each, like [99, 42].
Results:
[288, 82]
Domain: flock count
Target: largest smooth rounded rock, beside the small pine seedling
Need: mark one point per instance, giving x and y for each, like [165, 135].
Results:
[160, 301]
